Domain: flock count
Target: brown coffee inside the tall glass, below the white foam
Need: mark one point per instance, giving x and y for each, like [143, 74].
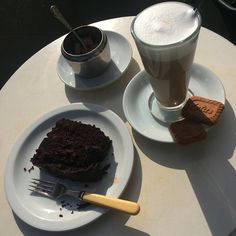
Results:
[169, 79]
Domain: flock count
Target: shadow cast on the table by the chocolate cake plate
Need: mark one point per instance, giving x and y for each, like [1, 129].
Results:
[111, 223]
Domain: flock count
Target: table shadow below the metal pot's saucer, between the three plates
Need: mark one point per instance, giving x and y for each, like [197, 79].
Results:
[103, 96]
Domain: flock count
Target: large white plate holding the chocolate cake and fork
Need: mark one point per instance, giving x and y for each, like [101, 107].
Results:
[43, 213]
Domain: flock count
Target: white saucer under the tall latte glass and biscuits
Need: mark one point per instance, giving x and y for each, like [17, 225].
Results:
[135, 101]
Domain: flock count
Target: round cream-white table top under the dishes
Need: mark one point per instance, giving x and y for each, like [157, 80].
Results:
[182, 190]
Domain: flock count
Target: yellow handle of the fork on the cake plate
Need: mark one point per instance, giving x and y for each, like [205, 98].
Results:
[114, 203]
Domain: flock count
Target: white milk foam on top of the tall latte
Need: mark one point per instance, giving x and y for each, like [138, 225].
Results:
[165, 23]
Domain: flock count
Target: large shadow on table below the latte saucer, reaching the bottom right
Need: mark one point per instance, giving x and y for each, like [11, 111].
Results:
[207, 165]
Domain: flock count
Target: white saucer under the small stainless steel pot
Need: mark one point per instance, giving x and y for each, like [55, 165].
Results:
[121, 54]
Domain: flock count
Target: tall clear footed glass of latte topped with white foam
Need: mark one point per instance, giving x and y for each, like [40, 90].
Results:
[166, 37]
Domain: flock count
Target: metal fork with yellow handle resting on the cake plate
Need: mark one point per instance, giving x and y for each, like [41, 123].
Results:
[55, 190]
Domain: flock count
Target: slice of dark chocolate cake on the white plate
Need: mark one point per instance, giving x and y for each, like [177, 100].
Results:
[73, 150]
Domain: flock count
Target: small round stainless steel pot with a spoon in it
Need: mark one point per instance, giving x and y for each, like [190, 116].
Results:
[93, 58]
